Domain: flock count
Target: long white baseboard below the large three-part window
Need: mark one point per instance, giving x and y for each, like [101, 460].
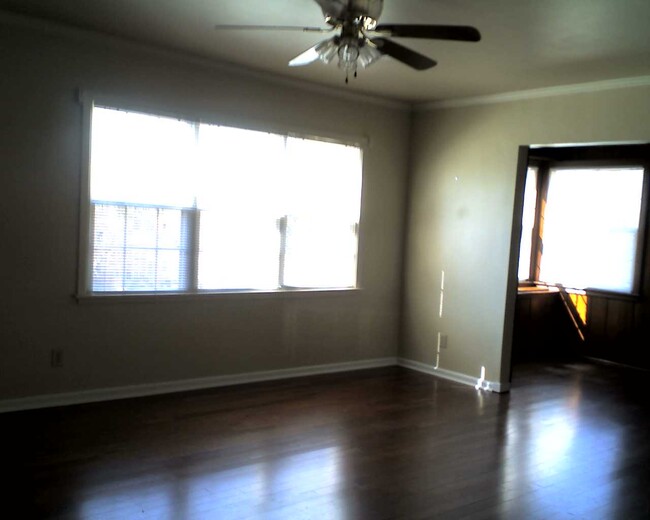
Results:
[125, 392]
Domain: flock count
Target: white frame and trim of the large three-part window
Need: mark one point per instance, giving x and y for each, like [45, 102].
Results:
[88, 101]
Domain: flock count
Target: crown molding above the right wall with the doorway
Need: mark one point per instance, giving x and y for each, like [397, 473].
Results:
[522, 95]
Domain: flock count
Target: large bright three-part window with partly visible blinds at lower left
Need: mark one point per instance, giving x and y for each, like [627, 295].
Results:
[183, 206]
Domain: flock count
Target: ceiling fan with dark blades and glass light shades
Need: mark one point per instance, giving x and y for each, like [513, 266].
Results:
[361, 40]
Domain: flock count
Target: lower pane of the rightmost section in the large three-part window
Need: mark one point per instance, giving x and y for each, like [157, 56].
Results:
[320, 253]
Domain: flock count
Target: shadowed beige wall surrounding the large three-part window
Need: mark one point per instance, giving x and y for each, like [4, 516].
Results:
[116, 344]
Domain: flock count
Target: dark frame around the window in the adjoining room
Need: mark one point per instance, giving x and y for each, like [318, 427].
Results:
[622, 156]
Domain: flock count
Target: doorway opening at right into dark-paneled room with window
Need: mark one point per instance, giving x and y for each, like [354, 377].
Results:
[581, 254]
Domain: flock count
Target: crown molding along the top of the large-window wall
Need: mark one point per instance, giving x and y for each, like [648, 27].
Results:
[90, 37]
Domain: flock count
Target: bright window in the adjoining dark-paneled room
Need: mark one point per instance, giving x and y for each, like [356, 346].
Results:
[583, 223]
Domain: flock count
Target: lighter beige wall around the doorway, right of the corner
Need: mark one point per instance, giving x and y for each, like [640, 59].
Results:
[462, 194]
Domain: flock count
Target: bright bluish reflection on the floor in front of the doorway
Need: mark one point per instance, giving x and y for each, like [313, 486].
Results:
[560, 458]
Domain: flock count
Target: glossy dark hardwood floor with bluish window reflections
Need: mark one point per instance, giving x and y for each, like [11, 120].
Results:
[569, 441]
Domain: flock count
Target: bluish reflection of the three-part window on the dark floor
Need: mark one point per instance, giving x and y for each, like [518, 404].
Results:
[298, 485]
